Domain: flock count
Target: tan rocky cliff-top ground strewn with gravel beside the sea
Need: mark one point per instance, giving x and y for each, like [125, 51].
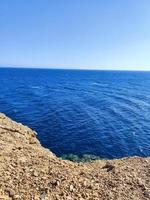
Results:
[28, 171]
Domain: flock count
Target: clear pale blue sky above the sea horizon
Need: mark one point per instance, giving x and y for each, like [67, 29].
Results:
[93, 34]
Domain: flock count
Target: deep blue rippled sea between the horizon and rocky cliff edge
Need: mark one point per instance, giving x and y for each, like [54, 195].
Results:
[103, 113]
